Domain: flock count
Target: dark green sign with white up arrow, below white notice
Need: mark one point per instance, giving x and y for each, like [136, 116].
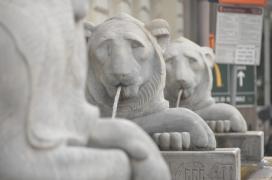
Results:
[245, 95]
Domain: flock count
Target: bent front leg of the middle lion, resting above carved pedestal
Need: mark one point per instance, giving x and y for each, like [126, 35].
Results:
[179, 120]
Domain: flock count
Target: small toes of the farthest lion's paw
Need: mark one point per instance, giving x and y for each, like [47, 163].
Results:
[219, 126]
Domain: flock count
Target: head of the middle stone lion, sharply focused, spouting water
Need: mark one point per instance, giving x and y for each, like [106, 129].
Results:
[123, 52]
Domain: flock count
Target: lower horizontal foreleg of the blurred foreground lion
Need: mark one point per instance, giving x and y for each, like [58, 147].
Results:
[21, 162]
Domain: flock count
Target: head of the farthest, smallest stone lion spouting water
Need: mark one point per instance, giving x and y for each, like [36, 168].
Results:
[188, 68]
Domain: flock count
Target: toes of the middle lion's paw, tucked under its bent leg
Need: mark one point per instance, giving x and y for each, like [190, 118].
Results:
[172, 141]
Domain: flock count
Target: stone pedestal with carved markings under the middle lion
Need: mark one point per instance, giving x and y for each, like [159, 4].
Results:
[221, 164]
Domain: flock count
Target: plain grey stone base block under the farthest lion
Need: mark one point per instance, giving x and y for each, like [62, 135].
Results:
[251, 144]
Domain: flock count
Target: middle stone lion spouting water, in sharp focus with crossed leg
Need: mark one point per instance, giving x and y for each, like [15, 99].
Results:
[123, 53]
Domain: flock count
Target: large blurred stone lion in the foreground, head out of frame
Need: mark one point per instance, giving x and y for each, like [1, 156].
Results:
[48, 130]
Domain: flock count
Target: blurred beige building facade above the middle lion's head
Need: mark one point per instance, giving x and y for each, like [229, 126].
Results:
[144, 10]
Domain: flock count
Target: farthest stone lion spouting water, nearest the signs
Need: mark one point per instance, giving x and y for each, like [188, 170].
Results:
[189, 68]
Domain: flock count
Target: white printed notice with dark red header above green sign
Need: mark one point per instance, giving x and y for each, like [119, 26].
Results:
[238, 35]
